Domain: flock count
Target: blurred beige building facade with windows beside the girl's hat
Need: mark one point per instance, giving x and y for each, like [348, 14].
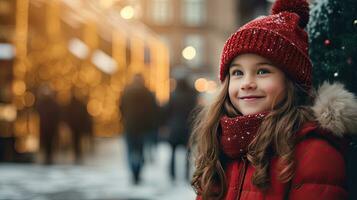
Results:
[202, 24]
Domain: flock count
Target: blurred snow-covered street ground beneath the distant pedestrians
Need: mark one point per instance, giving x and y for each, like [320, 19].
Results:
[103, 176]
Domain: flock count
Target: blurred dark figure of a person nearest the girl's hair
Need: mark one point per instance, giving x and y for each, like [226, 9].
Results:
[178, 111]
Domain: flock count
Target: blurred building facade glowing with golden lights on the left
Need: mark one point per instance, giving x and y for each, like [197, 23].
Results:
[78, 49]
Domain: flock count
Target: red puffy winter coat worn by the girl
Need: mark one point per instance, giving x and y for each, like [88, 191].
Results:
[320, 172]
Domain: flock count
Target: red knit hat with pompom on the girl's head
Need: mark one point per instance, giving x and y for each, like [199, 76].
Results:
[279, 37]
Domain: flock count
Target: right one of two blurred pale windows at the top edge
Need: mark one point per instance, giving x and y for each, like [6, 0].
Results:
[194, 12]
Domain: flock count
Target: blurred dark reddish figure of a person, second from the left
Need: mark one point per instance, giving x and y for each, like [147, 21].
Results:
[80, 123]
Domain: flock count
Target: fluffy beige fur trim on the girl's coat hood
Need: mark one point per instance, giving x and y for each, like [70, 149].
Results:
[336, 109]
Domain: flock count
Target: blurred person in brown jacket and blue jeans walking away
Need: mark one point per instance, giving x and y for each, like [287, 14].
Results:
[139, 117]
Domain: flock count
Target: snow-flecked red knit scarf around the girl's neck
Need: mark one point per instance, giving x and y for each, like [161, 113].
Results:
[238, 132]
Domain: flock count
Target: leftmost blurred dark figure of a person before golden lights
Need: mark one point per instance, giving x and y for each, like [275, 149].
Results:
[49, 113]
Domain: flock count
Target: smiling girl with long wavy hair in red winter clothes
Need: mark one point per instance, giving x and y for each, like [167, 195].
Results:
[261, 138]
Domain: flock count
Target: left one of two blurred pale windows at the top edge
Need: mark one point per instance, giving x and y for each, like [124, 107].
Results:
[161, 11]
